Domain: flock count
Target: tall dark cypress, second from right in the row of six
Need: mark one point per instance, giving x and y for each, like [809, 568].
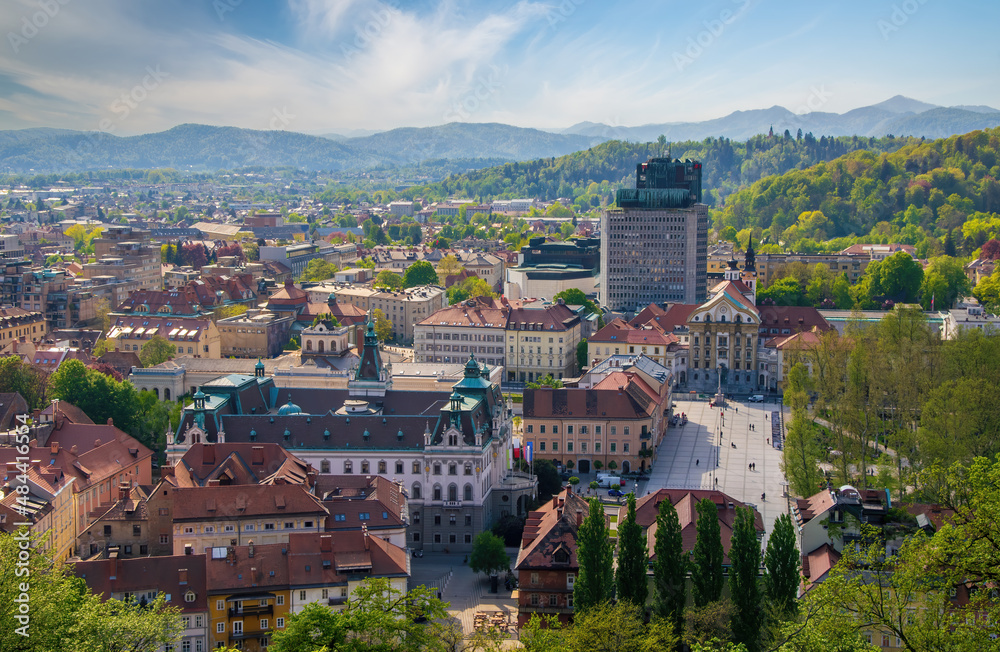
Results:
[744, 557]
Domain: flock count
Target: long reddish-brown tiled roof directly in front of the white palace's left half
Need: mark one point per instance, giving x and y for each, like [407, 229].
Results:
[199, 503]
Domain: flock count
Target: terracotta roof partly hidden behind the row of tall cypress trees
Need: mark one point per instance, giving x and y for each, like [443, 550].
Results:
[685, 501]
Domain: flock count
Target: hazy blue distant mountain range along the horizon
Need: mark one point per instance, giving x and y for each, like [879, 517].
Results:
[202, 147]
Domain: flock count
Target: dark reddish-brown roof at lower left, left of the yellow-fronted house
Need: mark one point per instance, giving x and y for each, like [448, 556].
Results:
[175, 575]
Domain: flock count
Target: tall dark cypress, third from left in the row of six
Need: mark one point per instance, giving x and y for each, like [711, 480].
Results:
[670, 567]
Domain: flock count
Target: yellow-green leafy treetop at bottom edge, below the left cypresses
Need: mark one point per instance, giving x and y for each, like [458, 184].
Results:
[619, 627]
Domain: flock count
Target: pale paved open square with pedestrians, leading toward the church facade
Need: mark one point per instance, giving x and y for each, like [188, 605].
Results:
[691, 456]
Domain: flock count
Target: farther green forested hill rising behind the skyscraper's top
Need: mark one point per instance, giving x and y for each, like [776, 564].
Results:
[589, 176]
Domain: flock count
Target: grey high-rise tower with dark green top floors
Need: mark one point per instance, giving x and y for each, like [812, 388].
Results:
[654, 245]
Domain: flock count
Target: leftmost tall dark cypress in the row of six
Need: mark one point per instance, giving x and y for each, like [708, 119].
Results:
[595, 582]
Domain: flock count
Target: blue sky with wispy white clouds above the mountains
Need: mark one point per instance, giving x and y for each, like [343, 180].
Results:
[317, 66]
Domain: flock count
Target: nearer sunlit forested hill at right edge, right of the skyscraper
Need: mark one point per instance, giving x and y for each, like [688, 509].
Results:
[934, 193]
